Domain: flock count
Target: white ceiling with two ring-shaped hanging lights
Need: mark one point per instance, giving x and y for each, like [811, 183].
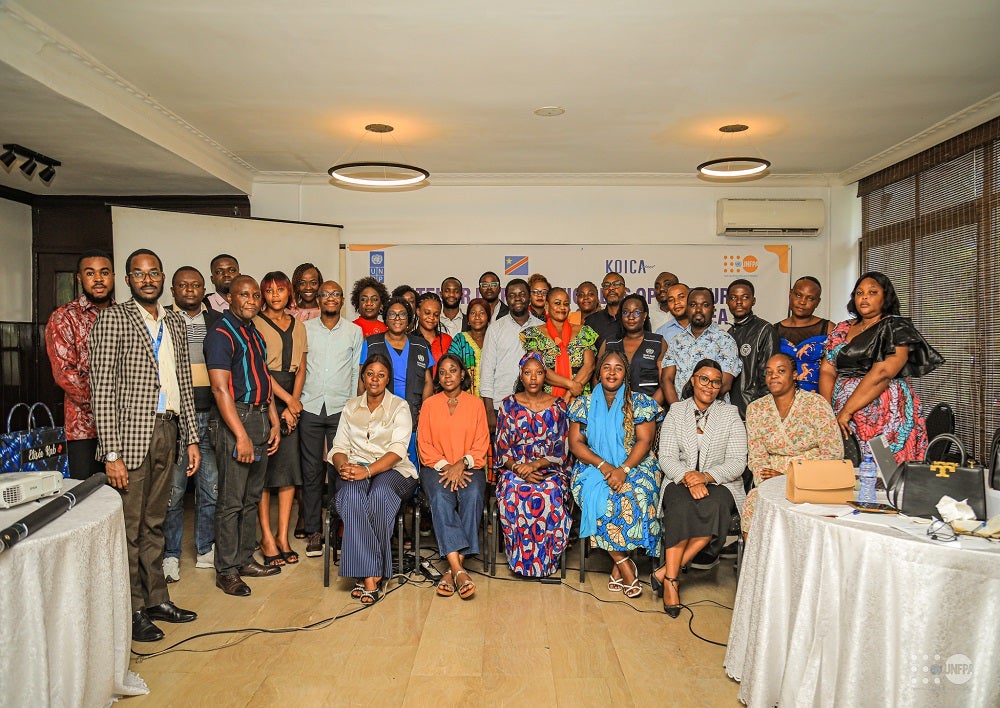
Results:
[205, 96]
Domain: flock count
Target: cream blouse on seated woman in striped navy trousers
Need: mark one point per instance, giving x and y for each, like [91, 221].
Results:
[365, 436]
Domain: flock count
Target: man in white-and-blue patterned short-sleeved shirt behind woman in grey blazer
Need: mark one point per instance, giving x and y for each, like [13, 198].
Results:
[701, 339]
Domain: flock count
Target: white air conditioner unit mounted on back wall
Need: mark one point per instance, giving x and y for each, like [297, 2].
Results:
[770, 217]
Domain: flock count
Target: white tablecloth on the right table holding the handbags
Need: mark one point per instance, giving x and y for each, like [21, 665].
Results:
[838, 612]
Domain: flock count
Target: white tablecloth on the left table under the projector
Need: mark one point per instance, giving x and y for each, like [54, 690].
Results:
[65, 608]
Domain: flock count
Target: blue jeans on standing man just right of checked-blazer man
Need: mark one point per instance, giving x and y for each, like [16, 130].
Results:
[205, 495]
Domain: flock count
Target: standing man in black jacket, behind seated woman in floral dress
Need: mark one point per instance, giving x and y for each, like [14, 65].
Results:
[756, 340]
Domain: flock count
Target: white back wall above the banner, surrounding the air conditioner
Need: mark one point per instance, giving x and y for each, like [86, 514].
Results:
[568, 214]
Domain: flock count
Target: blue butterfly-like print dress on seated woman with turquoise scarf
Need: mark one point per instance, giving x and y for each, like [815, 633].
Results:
[630, 519]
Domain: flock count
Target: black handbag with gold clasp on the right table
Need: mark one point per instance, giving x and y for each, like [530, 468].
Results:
[915, 488]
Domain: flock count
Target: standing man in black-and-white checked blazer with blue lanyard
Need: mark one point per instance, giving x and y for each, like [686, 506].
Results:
[141, 386]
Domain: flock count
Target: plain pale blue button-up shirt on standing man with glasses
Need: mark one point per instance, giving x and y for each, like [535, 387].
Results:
[331, 365]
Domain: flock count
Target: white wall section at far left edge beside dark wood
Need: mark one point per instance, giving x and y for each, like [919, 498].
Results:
[15, 244]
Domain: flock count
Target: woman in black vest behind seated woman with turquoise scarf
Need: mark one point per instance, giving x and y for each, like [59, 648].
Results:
[644, 349]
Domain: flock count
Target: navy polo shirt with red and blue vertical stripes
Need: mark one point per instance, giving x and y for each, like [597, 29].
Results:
[237, 347]
